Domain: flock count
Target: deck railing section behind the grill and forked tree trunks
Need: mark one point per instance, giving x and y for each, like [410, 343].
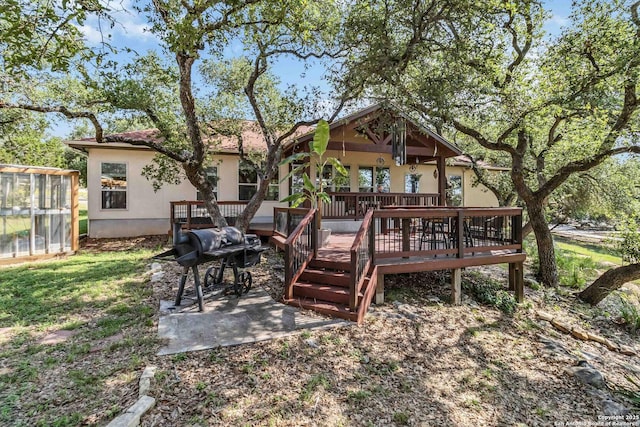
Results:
[193, 214]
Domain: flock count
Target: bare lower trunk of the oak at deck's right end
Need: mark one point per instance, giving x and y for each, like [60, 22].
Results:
[547, 268]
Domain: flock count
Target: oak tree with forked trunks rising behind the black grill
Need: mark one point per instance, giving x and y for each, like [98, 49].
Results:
[168, 90]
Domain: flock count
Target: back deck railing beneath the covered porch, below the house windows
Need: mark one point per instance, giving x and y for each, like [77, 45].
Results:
[355, 205]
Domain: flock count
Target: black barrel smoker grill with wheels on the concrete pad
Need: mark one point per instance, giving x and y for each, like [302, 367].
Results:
[228, 245]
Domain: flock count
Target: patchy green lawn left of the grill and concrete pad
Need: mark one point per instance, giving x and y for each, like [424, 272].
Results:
[104, 301]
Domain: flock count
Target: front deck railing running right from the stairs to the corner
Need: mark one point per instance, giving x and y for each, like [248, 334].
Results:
[403, 232]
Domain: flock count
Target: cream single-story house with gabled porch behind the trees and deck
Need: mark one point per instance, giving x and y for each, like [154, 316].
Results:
[383, 151]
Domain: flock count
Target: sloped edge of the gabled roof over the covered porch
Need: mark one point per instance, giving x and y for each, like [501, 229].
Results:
[447, 148]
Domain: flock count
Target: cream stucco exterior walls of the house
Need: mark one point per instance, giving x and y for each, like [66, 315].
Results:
[148, 212]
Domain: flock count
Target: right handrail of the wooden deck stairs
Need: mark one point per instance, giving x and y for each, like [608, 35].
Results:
[360, 259]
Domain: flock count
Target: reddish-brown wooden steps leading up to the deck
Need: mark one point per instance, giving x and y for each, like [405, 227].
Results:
[324, 288]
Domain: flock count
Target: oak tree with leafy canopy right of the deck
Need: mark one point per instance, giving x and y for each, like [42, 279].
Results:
[553, 107]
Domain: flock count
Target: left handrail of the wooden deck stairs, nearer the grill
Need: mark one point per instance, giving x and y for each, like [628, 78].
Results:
[296, 254]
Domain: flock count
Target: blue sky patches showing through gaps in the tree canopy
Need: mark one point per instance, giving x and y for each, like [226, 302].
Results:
[132, 31]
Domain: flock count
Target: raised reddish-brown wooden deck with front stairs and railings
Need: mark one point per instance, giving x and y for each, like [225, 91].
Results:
[343, 277]
